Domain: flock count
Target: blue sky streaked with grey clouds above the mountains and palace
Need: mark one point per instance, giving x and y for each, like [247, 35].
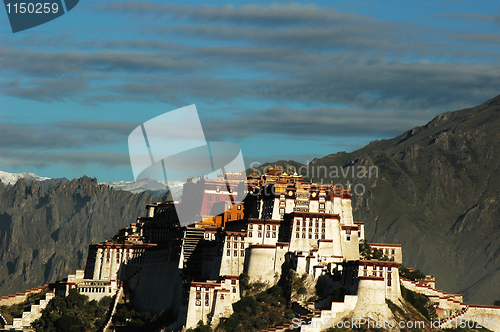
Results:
[283, 80]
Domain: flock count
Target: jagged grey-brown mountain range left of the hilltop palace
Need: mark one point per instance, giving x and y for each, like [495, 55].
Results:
[44, 234]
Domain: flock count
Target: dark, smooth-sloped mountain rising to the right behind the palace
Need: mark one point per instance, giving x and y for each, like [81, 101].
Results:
[438, 194]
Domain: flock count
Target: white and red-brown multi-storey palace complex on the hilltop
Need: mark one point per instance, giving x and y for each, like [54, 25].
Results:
[283, 223]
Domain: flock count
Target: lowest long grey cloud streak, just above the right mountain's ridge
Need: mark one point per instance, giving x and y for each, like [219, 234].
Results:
[308, 124]
